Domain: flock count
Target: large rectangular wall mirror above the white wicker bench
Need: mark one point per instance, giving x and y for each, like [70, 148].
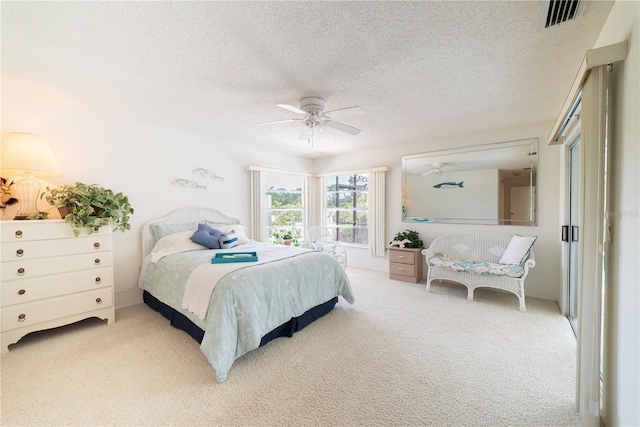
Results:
[505, 164]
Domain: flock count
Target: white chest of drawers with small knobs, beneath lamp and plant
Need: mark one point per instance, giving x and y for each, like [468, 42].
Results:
[51, 278]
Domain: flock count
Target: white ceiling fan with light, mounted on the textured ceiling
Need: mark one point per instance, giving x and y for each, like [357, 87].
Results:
[314, 116]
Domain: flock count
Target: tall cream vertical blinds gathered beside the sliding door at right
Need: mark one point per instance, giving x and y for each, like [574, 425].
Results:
[595, 138]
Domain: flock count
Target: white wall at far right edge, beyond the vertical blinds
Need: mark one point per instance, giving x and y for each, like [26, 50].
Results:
[622, 323]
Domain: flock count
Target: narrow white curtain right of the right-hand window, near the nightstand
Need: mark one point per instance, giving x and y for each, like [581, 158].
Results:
[376, 215]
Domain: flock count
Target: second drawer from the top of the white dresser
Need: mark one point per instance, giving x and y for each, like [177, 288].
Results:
[16, 250]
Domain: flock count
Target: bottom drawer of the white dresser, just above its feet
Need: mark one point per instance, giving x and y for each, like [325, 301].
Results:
[18, 316]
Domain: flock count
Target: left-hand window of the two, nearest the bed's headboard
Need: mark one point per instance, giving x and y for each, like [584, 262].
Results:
[284, 197]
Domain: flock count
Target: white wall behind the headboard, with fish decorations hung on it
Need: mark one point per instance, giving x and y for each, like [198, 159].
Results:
[140, 161]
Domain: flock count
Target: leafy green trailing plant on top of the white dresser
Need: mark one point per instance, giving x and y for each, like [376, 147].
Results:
[90, 206]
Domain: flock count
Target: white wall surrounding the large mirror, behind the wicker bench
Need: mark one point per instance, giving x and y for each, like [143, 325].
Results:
[543, 279]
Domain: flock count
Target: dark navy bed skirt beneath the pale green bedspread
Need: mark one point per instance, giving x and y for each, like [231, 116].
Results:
[287, 329]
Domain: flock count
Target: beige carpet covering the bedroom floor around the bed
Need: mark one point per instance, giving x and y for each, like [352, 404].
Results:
[398, 356]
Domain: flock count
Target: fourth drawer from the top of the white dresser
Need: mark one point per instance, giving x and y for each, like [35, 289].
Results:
[22, 291]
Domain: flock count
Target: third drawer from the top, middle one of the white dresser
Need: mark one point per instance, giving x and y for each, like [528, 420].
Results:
[25, 269]
